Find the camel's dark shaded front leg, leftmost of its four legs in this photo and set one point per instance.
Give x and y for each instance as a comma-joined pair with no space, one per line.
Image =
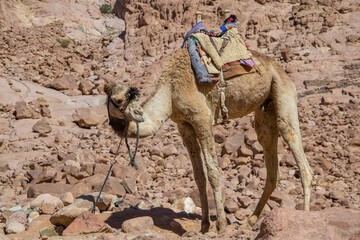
188,135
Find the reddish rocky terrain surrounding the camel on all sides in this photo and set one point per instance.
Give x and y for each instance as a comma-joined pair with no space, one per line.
56,145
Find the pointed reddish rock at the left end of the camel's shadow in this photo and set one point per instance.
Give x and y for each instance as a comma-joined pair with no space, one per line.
87,223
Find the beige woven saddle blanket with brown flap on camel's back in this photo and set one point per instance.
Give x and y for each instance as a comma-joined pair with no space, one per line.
224,53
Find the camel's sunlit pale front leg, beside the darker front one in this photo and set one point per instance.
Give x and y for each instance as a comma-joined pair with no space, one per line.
206,139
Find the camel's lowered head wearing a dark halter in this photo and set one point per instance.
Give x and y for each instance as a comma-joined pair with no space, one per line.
123,103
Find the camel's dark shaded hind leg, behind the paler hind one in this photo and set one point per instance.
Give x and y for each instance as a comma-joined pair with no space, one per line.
267,132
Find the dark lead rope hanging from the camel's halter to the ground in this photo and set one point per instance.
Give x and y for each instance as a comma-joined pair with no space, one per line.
132,160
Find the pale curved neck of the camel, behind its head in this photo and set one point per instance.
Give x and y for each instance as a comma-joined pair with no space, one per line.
157,110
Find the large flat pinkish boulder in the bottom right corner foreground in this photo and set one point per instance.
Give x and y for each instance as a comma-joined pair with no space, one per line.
332,223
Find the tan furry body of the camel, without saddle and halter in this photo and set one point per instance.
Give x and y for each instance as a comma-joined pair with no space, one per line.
272,95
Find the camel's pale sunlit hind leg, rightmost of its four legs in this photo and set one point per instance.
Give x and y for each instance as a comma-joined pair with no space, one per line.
288,124
